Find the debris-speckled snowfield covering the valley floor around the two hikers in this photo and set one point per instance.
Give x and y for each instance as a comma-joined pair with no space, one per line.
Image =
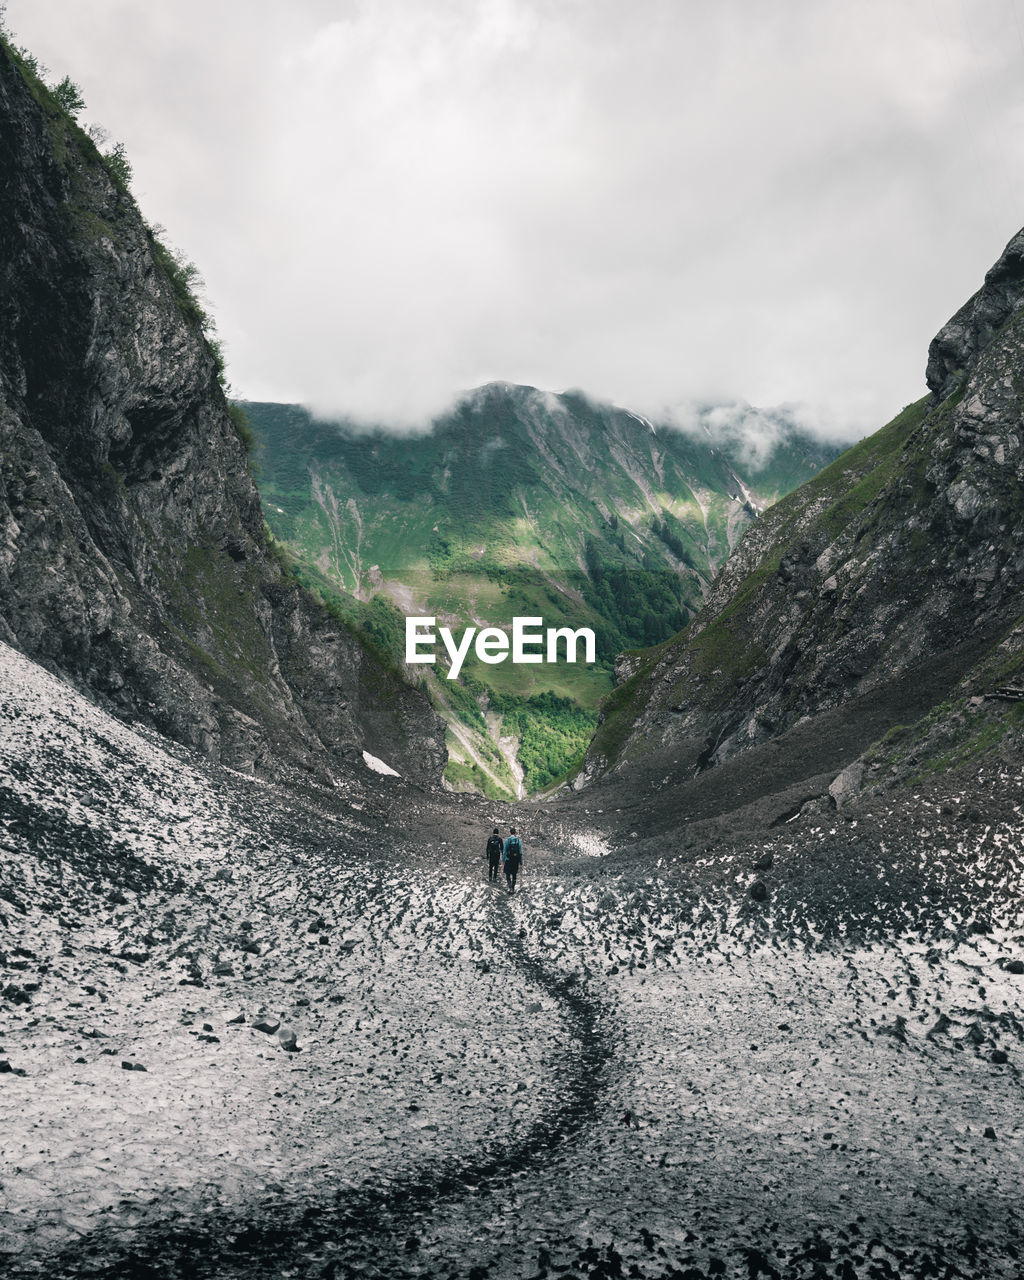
252,1031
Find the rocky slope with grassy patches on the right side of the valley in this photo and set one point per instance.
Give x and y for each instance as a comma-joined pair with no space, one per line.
888,587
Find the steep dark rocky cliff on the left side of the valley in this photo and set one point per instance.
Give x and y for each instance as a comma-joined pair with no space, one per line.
132,555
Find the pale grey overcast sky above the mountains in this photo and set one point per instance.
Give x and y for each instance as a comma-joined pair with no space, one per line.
650,200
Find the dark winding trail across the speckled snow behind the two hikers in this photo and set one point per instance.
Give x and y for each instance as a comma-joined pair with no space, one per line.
374,1231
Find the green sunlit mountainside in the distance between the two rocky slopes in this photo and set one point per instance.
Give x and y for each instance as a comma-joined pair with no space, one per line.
520,504
